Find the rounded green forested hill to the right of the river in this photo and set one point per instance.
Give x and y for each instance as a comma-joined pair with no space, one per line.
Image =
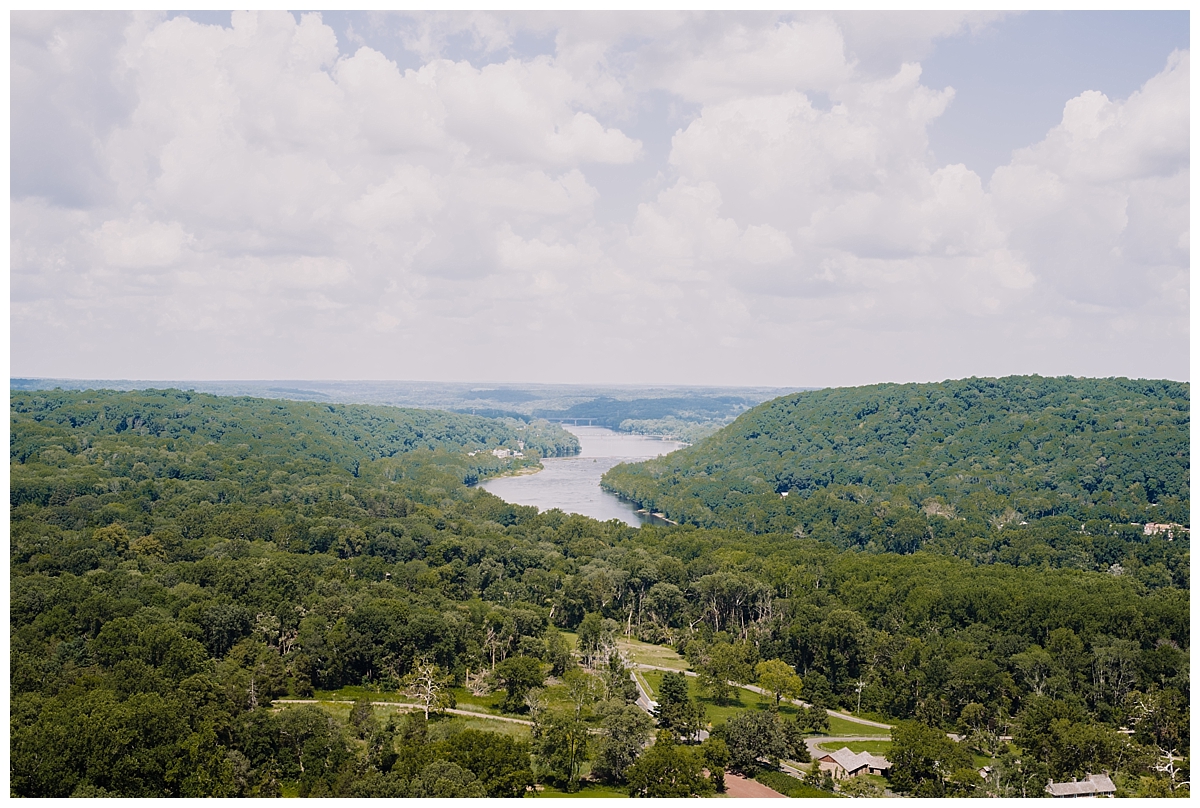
955,465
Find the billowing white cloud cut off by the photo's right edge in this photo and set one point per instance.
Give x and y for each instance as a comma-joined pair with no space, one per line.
1101,205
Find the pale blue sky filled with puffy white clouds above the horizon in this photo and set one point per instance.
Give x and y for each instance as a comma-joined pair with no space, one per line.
791,200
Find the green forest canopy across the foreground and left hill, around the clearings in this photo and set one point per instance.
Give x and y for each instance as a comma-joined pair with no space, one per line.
187,560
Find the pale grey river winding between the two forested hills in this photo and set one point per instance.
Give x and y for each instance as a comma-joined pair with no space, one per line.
573,484
